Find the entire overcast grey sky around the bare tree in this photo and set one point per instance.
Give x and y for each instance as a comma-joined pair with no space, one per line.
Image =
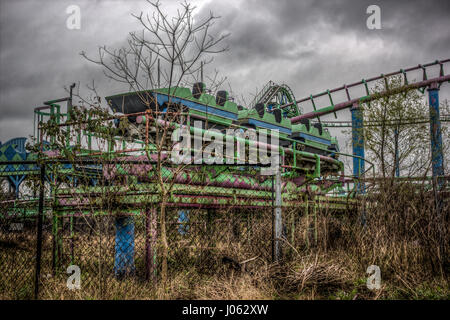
309,45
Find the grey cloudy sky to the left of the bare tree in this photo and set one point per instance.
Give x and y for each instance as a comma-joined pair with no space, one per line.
39,55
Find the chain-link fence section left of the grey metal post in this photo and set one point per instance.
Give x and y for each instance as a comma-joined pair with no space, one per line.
112,231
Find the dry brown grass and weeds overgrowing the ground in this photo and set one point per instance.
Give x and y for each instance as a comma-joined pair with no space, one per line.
403,236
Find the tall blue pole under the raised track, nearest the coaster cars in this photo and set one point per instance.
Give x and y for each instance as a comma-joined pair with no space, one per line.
358,143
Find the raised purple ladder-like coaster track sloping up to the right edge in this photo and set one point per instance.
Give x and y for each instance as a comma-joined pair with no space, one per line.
370,96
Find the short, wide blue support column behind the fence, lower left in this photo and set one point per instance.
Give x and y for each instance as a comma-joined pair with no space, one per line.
124,248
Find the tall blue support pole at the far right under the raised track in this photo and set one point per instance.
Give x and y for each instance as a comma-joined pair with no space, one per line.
437,157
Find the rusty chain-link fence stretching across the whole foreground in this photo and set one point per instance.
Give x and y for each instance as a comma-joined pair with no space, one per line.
116,229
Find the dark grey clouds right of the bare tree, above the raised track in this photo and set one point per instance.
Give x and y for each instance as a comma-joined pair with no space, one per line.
308,40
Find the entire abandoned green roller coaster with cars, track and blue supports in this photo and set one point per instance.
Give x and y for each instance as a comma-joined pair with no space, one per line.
310,159
